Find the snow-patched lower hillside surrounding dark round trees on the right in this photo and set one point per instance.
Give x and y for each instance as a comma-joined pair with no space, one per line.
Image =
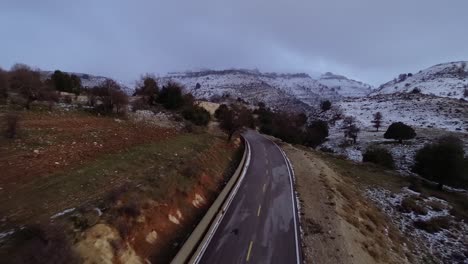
431,117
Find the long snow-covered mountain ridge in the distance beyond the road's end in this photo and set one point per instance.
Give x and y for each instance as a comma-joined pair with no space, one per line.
288,91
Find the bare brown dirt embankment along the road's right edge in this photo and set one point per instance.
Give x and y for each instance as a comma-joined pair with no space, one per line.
339,224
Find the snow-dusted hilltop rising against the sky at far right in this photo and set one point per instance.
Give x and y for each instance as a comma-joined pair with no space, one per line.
446,80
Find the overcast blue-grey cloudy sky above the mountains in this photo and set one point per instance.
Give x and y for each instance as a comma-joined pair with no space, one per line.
368,40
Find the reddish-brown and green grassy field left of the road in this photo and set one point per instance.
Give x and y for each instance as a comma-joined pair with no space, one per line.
98,169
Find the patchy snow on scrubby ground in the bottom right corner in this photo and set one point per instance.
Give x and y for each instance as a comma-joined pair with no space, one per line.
447,245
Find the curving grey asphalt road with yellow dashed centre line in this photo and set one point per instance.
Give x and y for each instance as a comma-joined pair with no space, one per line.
260,225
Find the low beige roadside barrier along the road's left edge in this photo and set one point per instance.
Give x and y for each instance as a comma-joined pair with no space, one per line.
196,243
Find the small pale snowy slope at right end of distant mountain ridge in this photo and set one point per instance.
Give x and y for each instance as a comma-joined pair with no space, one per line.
344,86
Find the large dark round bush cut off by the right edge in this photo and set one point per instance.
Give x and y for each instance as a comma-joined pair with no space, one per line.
443,162
